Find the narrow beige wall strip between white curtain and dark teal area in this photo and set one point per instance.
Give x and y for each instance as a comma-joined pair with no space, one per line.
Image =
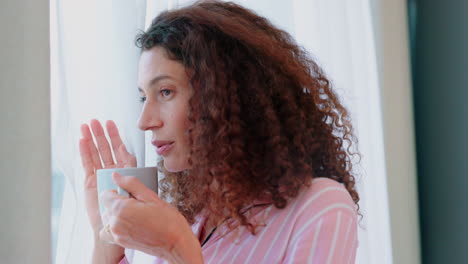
392,45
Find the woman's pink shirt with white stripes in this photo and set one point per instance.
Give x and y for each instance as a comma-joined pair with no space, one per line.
318,226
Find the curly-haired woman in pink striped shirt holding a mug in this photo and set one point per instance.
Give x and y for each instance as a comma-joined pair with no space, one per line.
255,149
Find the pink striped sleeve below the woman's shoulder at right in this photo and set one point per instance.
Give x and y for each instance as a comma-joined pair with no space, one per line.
331,239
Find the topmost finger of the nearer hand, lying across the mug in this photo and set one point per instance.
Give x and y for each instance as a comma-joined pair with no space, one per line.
135,187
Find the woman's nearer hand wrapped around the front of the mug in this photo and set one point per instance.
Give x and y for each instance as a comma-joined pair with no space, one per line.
147,223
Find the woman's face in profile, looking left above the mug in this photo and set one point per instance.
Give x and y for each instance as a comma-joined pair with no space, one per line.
165,88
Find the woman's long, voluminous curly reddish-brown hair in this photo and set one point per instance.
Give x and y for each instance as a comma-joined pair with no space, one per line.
264,118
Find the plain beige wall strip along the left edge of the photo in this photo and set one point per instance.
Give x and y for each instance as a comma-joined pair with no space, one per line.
25,132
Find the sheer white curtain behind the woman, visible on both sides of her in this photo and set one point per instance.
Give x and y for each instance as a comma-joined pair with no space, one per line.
95,76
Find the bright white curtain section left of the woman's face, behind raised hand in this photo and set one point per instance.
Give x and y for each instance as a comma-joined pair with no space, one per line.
94,71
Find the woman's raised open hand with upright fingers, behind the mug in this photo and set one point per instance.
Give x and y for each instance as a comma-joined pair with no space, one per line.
91,157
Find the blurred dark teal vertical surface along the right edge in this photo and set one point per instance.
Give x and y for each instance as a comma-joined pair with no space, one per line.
439,52
